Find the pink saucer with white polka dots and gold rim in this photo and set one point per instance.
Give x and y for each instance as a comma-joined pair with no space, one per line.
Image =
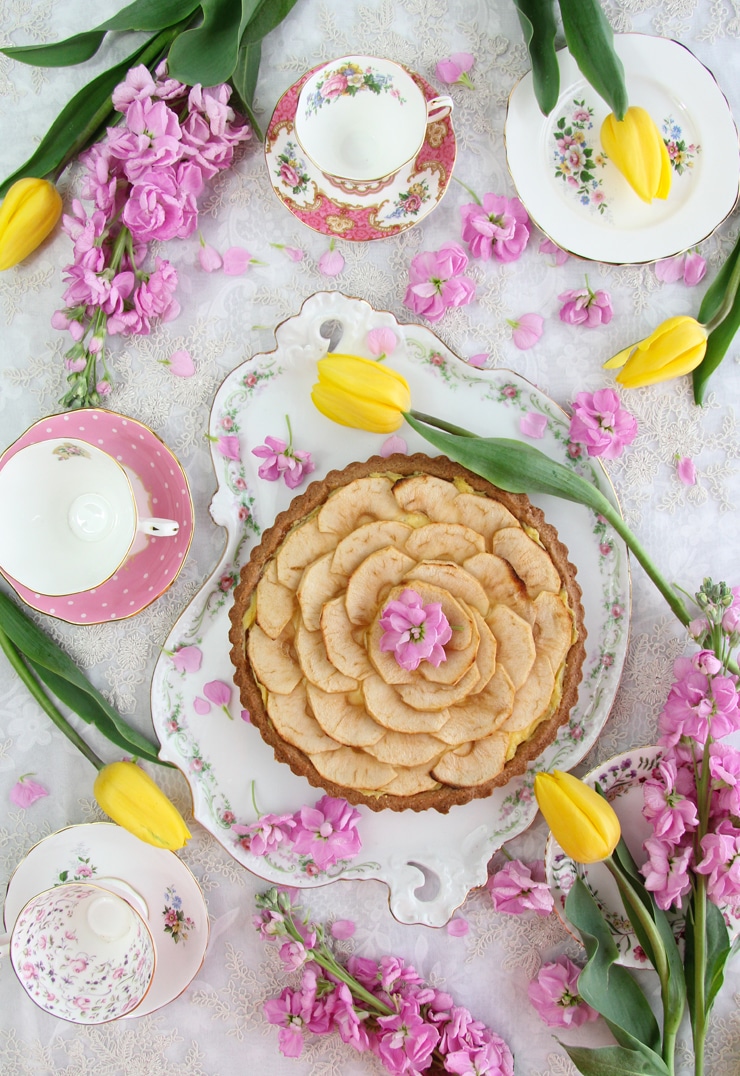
160,488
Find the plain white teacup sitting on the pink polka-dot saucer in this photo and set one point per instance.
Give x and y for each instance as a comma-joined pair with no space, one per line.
69,517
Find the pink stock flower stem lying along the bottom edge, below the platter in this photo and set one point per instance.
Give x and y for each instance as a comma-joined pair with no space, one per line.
409,1027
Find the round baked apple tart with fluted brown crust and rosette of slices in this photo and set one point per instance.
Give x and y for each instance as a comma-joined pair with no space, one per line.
307,634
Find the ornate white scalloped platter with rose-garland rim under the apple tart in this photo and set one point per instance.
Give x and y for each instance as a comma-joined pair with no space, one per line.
220,754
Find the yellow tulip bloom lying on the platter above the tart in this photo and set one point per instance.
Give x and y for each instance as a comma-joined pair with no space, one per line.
361,393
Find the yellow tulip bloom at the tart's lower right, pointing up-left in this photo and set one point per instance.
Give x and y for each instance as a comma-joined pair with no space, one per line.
584,824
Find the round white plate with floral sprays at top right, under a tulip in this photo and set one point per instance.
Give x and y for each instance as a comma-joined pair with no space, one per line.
577,196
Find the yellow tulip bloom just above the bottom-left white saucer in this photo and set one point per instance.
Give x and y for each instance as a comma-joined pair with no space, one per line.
132,799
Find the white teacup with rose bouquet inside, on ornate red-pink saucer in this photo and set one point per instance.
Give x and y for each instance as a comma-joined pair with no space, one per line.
361,120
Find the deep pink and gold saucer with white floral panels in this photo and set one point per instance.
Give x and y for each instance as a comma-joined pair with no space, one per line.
314,199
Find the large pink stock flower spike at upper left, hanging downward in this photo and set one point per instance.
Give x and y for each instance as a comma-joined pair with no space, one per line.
144,180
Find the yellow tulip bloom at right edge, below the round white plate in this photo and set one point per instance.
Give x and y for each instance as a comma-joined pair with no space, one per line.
676,348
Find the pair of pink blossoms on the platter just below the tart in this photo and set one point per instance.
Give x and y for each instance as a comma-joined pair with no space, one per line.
325,833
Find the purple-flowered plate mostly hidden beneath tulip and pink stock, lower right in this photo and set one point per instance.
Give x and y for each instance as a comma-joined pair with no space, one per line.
621,780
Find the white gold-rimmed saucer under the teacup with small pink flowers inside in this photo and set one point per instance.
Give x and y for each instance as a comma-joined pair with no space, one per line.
167,895
